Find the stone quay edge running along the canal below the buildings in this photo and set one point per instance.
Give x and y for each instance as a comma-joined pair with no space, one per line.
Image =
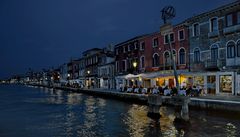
208,102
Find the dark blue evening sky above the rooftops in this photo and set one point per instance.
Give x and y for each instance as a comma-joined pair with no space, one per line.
43,33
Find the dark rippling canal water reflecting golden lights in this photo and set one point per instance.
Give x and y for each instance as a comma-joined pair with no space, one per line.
41,112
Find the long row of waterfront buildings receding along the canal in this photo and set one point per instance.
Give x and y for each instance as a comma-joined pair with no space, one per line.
206,50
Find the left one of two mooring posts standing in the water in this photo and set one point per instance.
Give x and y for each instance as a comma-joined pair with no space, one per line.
154,102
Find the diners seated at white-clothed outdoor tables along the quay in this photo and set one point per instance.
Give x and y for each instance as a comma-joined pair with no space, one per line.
166,90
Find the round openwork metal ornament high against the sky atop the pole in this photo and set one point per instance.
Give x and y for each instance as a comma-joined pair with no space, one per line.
168,13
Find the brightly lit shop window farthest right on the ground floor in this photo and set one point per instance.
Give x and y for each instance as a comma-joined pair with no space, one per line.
226,84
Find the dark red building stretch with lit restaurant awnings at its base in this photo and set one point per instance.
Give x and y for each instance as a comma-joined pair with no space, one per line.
152,56
